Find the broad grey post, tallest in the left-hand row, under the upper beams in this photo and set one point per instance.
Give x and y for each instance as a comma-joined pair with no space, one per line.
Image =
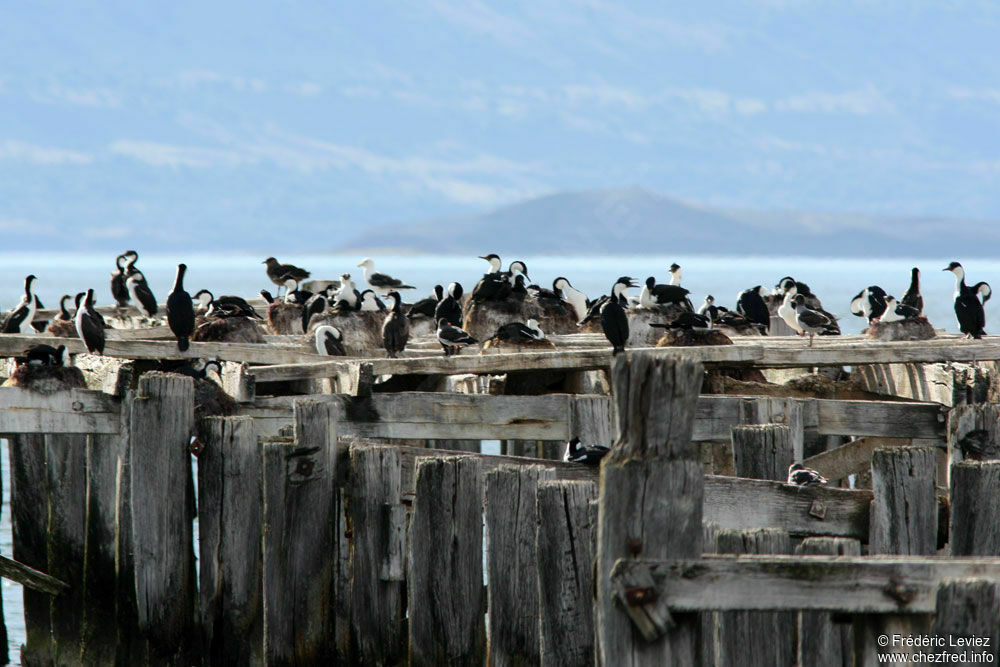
162,531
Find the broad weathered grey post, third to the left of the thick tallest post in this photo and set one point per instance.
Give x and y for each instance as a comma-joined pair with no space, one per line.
446,563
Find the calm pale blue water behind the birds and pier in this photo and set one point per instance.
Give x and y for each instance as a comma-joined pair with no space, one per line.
835,281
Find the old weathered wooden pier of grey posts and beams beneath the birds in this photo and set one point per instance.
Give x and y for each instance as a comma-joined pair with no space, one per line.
344,507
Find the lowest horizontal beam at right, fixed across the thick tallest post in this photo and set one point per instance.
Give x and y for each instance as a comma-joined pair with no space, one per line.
851,584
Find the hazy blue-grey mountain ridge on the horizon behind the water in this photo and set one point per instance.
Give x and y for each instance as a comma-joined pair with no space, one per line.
637,221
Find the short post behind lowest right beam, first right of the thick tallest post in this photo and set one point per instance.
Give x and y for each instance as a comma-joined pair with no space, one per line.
755,637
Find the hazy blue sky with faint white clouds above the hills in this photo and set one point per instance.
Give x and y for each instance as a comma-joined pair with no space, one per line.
309,121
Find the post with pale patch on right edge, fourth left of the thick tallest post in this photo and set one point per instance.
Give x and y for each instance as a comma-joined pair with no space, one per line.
378,623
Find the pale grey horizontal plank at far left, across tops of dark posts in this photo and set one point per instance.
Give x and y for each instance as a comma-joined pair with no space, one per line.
73,411
